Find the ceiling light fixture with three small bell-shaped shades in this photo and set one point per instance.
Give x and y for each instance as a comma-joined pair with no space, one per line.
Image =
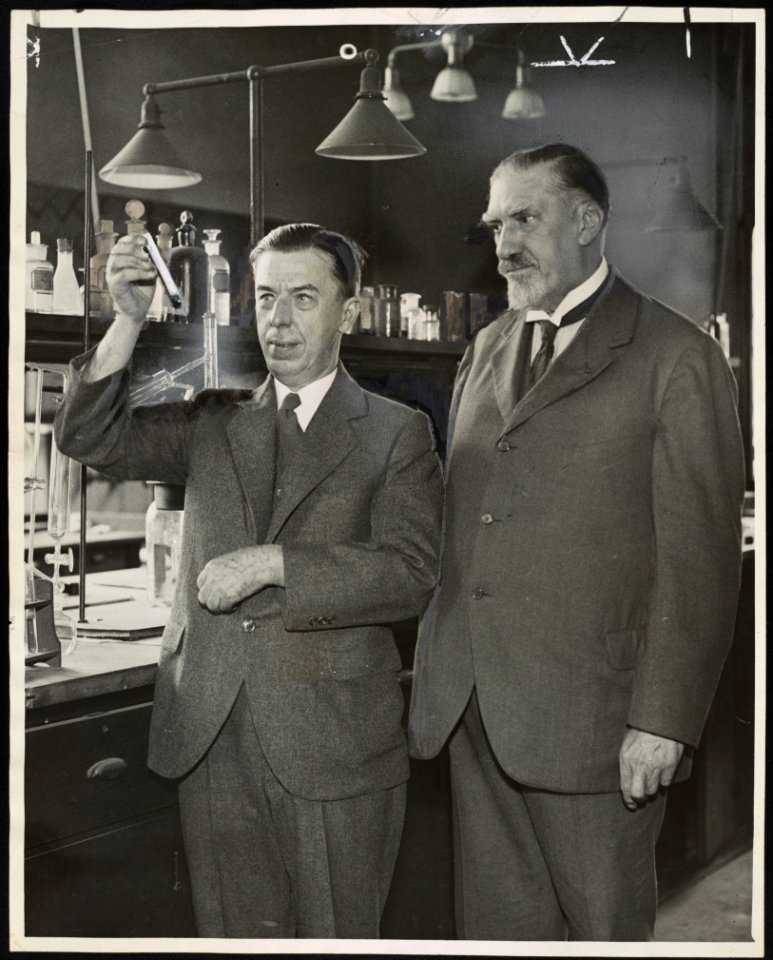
454,84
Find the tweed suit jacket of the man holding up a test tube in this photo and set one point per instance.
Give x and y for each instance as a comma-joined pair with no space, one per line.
359,524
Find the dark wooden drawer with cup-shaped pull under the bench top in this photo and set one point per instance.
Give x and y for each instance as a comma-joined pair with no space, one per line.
69,789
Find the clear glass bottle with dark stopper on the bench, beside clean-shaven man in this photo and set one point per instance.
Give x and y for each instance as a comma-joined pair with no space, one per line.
163,542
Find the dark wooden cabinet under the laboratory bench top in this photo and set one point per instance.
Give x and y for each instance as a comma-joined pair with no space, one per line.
103,846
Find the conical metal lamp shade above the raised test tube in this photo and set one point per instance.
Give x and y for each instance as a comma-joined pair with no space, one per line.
149,161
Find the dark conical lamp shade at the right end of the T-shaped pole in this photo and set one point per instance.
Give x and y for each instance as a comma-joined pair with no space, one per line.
369,131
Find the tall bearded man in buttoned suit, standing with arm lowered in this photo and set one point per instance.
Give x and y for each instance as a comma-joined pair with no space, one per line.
589,572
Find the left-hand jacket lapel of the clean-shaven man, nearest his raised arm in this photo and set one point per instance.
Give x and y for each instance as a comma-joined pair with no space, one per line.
251,436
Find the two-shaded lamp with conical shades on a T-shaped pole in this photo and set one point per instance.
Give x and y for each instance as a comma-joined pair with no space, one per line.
149,162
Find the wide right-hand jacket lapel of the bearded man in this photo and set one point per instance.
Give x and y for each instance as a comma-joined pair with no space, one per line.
610,324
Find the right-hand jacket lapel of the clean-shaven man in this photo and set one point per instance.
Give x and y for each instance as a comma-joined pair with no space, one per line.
328,439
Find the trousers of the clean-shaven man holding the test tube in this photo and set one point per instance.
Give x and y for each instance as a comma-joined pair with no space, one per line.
265,863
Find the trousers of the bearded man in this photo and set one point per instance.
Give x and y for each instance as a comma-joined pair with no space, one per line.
530,862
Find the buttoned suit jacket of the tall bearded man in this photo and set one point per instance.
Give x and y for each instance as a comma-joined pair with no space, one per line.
592,545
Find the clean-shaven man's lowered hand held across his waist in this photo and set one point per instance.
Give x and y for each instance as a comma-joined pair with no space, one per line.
227,580
